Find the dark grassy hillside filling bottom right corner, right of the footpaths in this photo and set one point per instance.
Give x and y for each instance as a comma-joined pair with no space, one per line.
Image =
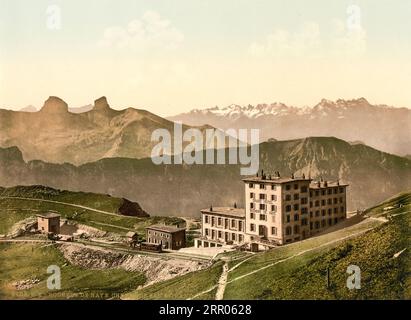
304,277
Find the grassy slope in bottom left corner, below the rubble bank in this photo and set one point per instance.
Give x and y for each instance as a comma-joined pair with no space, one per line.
76,283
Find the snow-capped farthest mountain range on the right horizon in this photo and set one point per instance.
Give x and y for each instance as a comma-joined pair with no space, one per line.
380,126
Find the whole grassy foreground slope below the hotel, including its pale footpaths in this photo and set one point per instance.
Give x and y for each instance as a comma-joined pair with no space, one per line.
379,245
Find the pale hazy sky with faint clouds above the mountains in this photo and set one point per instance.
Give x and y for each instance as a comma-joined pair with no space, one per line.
172,56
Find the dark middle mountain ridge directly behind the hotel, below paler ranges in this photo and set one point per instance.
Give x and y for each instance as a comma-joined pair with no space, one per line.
185,189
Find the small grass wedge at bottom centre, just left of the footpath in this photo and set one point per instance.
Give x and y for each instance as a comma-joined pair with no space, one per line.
182,287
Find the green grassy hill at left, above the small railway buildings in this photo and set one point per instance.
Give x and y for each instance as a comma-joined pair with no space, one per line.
14,210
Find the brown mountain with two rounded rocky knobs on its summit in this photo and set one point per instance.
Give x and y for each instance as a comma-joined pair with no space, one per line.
54,134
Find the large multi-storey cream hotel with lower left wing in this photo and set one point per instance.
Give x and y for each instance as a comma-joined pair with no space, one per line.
278,210
